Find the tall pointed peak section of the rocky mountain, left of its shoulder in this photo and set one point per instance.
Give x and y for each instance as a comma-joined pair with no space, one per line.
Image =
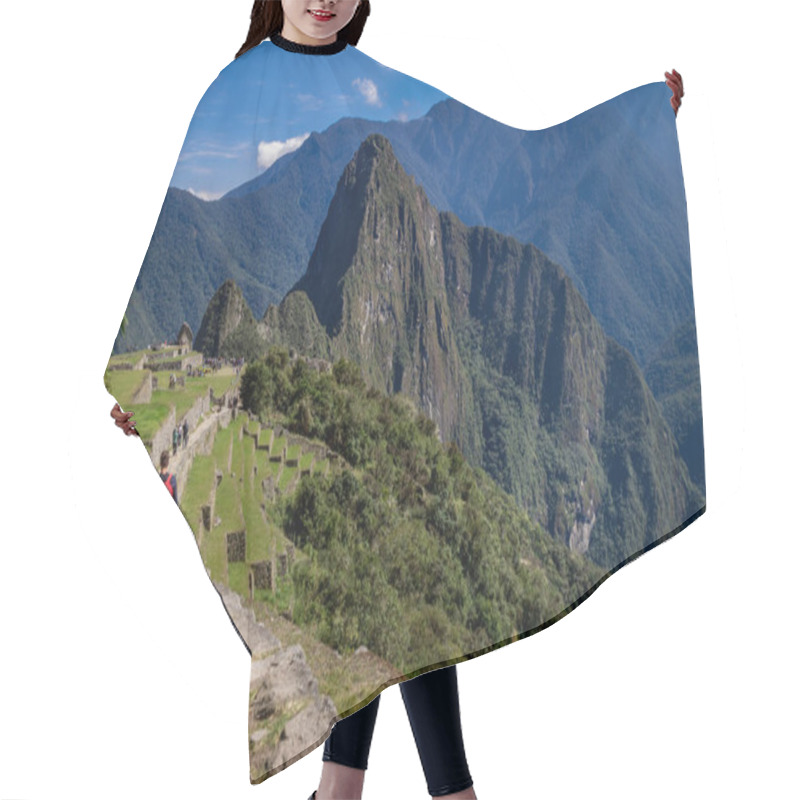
377,281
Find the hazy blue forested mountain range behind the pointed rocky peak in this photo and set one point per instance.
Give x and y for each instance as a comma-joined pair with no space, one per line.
608,208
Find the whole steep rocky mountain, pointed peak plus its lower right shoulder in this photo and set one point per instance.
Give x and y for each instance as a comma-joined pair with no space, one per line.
491,340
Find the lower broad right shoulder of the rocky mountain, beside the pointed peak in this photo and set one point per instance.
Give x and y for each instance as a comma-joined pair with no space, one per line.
569,424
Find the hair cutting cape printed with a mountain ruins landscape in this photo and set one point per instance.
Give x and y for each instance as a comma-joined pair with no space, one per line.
424,380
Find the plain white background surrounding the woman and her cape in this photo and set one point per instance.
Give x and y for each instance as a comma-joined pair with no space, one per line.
120,674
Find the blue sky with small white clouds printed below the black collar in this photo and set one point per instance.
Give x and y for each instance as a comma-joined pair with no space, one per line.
267,102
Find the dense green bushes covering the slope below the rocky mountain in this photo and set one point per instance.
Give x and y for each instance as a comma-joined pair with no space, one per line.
409,550
